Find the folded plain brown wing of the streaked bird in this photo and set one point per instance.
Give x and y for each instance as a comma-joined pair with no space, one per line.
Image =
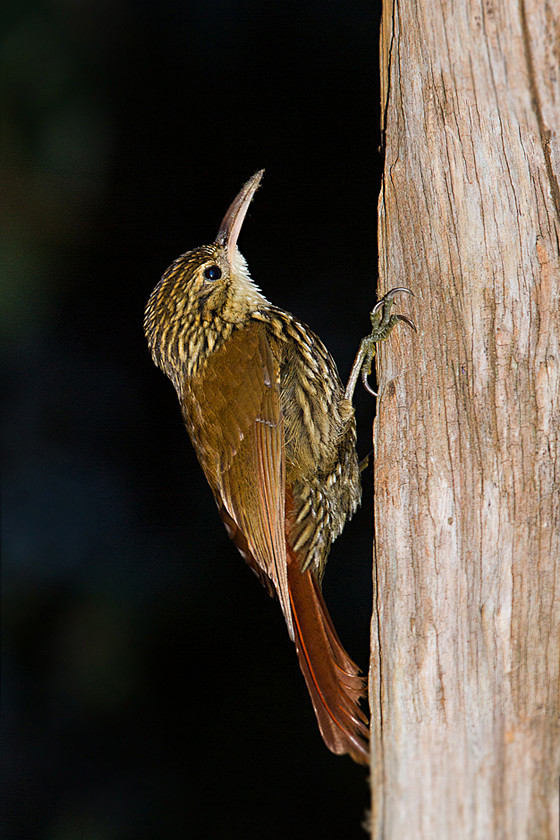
240,444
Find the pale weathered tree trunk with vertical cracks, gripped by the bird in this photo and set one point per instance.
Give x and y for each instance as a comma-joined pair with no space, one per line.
466,627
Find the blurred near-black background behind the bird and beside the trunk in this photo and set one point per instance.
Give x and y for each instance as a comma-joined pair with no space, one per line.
150,689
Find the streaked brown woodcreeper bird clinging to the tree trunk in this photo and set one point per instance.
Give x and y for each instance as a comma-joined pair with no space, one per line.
275,434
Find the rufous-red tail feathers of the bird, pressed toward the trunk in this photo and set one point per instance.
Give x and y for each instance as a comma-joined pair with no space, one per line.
333,680
